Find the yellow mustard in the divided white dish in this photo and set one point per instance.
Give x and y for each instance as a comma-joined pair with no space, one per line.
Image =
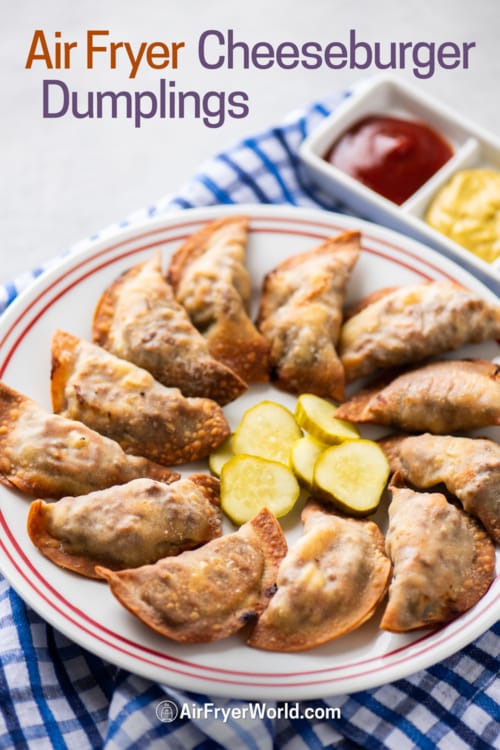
467,210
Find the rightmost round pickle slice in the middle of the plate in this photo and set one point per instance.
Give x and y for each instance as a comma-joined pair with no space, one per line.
352,476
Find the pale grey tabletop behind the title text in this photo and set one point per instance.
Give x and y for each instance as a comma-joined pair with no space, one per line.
65,178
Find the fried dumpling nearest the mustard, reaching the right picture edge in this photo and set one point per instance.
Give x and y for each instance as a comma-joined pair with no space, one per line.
411,323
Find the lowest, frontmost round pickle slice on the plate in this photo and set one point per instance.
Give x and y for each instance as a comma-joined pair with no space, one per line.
249,483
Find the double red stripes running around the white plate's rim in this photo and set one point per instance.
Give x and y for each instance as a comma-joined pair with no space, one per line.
148,656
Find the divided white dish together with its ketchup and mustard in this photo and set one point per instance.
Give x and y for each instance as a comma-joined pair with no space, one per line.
389,150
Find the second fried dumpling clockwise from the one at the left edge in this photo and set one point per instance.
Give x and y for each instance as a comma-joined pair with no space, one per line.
138,318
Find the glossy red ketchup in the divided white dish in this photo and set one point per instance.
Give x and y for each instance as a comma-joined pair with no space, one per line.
394,157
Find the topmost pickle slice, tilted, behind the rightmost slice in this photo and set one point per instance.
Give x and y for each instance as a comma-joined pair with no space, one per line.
316,415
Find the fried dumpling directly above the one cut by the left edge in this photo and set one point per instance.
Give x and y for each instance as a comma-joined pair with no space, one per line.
124,402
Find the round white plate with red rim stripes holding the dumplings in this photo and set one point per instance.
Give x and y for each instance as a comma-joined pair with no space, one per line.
85,610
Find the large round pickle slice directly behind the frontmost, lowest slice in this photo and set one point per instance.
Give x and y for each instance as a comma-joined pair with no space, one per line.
268,430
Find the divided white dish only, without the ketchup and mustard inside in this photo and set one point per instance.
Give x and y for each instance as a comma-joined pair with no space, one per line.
387,95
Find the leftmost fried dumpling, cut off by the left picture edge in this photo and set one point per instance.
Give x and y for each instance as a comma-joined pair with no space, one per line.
46,455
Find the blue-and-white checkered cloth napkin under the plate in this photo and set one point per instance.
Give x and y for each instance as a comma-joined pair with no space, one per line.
54,694
